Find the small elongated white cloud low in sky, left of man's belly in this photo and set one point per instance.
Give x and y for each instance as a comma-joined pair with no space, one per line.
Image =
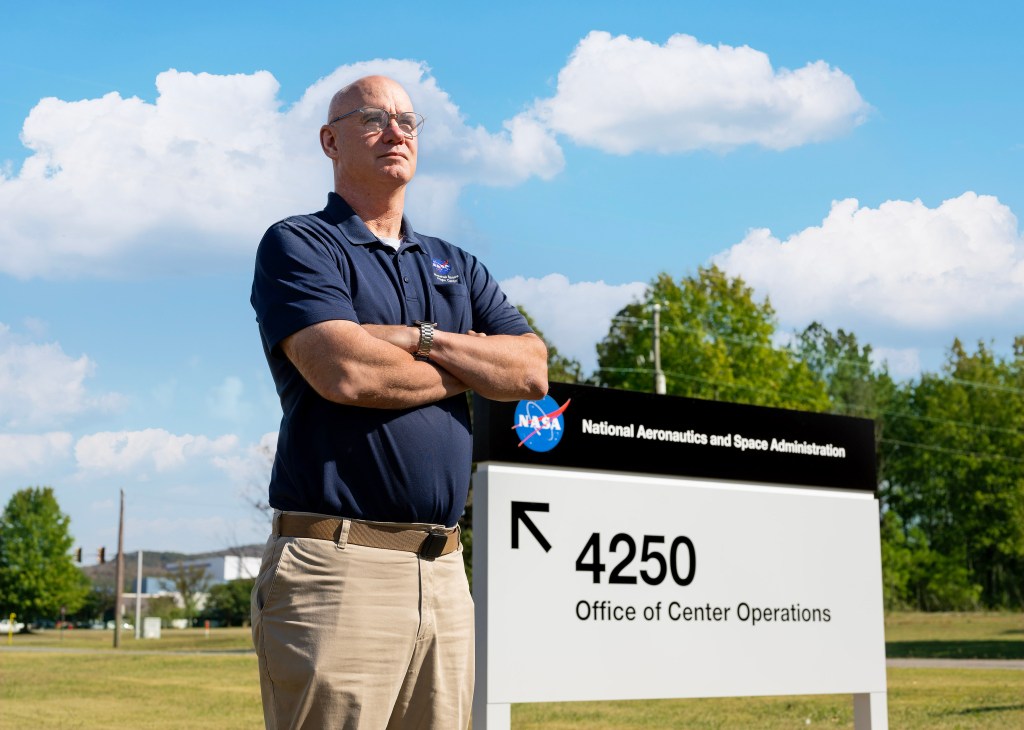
146,451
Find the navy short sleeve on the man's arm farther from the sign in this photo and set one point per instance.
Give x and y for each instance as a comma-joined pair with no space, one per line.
301,280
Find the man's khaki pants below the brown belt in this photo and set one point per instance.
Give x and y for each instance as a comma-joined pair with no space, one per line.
356,637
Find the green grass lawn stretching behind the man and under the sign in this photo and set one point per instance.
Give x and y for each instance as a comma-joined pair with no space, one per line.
189,680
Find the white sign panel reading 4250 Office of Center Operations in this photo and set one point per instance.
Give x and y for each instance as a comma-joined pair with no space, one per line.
607,586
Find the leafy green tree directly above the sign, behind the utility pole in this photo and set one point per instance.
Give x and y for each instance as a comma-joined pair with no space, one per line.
716,343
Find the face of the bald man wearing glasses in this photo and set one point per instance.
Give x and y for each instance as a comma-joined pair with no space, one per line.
366,158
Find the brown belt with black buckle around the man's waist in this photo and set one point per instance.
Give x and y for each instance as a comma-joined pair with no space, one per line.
428,543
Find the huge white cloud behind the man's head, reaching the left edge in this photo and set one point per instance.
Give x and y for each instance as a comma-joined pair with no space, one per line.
117,186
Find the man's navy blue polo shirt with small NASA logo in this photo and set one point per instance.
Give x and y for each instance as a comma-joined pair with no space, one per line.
403,466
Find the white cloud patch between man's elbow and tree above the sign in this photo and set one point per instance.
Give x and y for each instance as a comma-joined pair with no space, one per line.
573,317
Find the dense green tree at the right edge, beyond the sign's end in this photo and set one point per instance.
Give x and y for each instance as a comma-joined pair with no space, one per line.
956,474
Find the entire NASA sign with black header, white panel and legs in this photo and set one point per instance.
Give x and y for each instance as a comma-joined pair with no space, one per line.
652,547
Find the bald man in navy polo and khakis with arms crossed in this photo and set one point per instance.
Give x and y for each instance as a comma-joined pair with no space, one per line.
362,614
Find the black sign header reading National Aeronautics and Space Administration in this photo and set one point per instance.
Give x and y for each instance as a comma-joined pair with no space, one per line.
618,431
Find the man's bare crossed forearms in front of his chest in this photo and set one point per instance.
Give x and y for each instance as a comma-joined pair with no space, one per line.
372,366
